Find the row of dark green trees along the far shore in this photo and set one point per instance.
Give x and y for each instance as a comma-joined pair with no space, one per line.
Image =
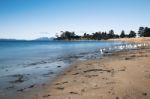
67,35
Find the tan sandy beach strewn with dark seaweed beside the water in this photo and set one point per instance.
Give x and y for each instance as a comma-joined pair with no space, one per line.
122,75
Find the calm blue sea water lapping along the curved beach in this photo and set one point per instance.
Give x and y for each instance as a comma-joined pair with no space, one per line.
38,61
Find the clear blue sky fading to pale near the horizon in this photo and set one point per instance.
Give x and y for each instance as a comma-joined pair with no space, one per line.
30,19
